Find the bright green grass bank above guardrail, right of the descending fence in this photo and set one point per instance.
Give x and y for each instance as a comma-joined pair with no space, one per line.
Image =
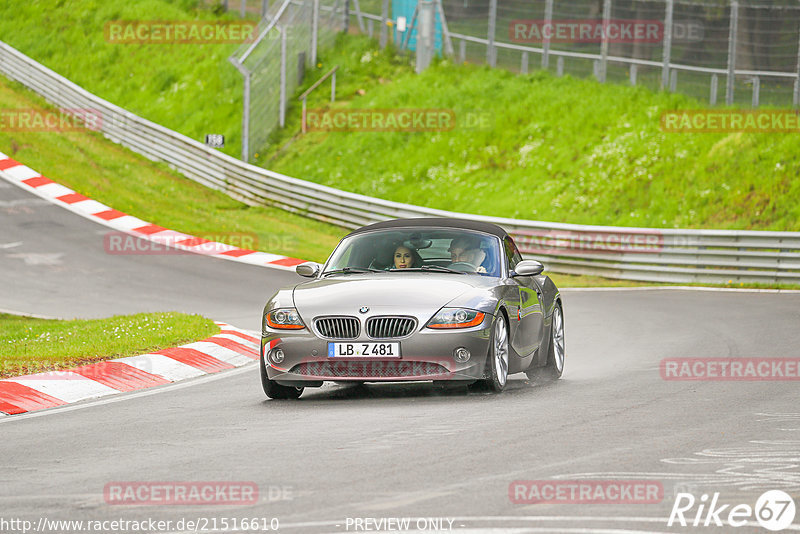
556,149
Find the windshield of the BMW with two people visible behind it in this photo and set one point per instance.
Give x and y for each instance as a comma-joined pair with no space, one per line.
418,249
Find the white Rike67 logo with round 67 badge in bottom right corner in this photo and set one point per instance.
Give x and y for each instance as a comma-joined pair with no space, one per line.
774,510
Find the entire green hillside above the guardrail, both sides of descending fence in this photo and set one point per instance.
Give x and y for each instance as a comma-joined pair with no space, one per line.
556,149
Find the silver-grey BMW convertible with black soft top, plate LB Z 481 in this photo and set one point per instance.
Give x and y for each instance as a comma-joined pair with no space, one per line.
443,300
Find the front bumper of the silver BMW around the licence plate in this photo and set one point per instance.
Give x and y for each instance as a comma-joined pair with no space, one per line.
425,355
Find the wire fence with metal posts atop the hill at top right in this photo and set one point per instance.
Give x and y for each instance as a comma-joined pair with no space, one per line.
745,54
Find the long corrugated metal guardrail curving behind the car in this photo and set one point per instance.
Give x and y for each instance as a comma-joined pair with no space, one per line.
649,254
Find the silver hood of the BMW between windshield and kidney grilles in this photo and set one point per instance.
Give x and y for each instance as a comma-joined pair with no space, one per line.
416,294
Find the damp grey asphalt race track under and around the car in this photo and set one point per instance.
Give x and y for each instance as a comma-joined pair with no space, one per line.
347,453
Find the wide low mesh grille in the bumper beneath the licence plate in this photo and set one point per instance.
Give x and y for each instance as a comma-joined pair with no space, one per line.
369,369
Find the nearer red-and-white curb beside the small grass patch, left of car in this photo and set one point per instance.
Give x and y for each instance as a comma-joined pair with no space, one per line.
231,348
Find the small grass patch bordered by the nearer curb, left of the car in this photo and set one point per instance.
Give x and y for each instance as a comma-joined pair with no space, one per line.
29,345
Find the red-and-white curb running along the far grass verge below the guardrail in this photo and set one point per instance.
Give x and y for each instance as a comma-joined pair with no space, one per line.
32,181
